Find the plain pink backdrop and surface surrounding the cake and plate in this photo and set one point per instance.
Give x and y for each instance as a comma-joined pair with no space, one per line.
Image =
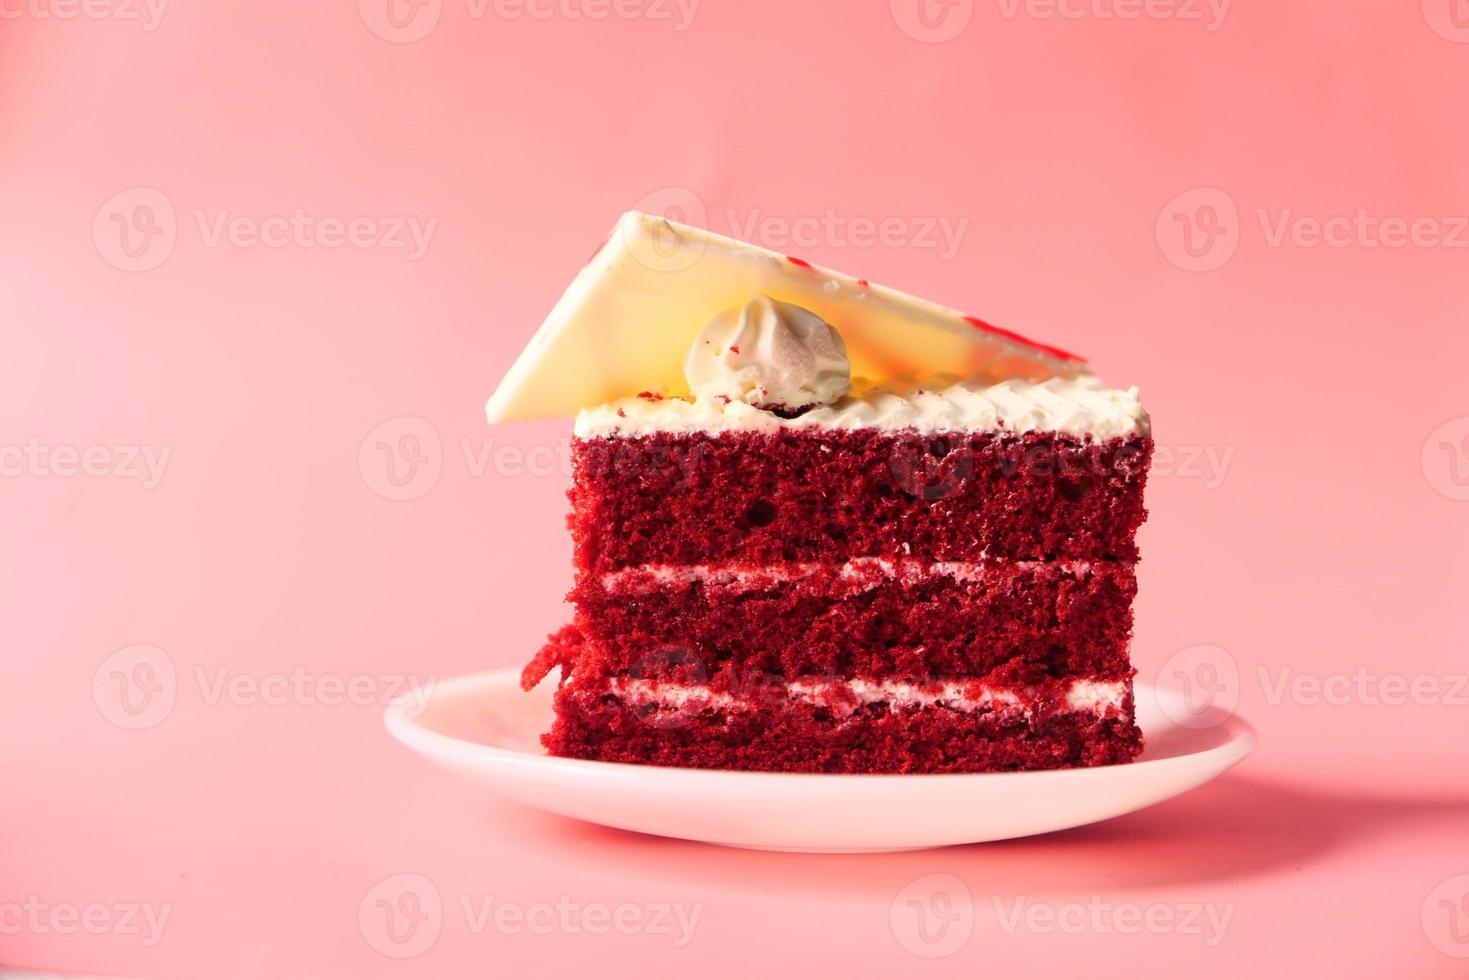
1330,549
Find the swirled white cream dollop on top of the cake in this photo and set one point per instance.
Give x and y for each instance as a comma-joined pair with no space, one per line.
770,355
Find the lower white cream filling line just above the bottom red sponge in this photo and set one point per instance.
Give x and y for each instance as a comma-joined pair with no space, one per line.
1094,697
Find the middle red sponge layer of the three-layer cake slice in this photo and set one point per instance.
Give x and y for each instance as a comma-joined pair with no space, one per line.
1014,622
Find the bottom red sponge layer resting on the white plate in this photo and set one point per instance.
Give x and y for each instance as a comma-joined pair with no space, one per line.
784,735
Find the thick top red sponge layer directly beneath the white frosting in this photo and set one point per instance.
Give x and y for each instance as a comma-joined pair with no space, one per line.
800,496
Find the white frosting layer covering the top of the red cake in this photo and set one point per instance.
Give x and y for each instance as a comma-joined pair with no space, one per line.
1076,406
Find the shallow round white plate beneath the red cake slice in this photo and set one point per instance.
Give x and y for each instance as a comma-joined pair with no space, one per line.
487,729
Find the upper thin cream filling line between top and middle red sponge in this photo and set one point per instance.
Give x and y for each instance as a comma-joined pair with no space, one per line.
853,572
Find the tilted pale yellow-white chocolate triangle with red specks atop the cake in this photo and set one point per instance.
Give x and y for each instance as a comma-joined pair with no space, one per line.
628,320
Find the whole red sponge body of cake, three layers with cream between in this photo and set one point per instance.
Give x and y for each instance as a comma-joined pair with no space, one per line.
813,600
